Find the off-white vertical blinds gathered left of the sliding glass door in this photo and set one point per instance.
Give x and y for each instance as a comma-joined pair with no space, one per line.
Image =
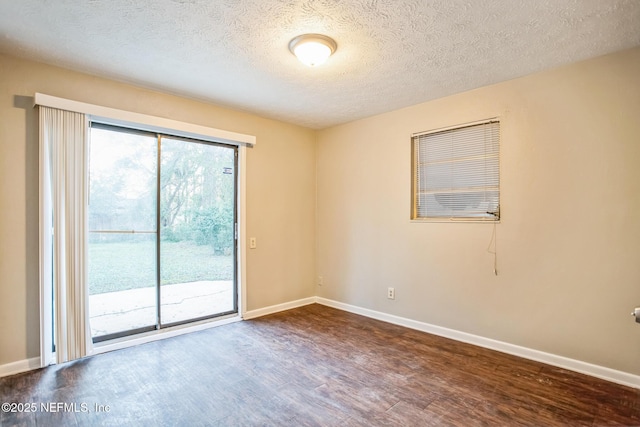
63,234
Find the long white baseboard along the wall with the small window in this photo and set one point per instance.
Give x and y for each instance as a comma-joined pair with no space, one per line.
608,374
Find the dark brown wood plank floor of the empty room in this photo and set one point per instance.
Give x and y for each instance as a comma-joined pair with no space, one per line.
314,366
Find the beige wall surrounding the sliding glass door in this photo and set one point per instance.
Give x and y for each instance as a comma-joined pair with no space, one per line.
280,191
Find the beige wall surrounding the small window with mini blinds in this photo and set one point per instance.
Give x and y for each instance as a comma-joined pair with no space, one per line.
569,240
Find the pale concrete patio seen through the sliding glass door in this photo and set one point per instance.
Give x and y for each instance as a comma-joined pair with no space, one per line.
120,311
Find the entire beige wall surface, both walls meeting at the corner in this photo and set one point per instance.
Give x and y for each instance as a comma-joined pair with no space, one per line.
568,243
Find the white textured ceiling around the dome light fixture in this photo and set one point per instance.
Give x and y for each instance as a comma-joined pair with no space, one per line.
391,54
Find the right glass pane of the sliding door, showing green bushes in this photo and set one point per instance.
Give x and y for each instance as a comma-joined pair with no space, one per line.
197,217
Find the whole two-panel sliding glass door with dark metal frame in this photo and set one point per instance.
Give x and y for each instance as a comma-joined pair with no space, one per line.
162,220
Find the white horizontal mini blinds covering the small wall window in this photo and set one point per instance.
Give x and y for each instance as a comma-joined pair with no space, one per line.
456,173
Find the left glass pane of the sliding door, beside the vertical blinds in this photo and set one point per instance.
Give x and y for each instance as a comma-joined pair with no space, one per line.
122,232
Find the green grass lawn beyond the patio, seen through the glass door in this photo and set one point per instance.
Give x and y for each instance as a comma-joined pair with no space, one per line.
129,265
